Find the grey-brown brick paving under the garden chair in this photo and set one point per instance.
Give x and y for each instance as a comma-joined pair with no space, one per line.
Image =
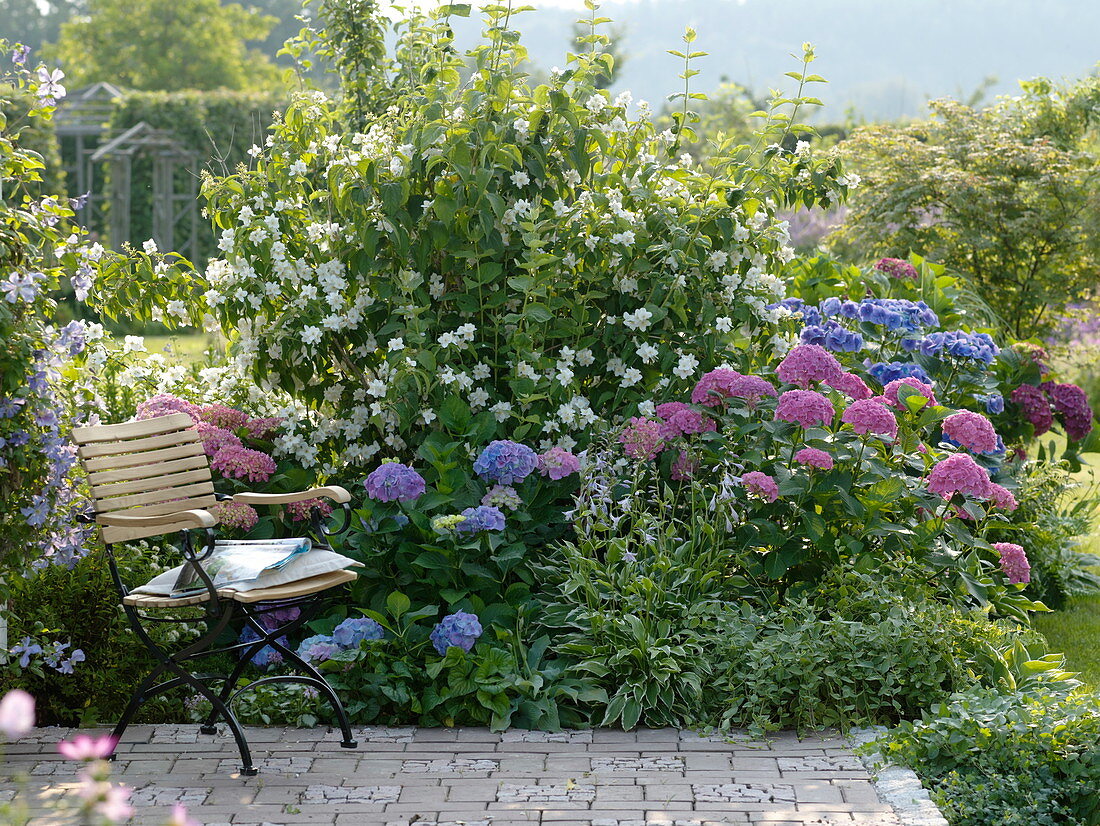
472,777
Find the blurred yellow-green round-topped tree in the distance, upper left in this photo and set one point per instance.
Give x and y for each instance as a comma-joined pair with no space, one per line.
167,46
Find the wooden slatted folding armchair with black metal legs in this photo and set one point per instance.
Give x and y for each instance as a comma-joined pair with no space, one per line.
153,478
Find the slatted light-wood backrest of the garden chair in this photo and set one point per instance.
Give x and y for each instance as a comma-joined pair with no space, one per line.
149,468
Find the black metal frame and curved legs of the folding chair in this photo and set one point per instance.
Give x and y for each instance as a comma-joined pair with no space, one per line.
218,615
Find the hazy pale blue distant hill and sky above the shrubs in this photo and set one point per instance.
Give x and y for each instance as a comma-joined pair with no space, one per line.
883,58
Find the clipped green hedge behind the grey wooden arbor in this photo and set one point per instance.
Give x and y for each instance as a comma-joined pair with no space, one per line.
221,127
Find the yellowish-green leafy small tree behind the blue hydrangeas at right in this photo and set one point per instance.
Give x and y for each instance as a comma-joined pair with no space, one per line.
1007,195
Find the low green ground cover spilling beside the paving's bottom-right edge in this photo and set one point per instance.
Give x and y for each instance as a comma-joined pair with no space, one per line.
1008,759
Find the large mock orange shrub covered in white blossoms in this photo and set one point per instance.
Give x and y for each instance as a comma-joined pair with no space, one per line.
496,259
